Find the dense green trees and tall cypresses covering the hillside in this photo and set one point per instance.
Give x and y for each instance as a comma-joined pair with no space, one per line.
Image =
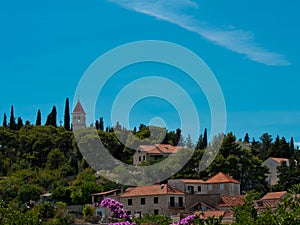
37,159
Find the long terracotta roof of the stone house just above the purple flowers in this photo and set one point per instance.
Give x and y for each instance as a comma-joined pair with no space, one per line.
151,190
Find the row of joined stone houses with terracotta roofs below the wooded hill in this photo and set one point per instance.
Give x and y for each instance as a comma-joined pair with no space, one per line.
178,196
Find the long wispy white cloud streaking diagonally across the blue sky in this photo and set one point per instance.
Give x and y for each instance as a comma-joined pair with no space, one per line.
239,41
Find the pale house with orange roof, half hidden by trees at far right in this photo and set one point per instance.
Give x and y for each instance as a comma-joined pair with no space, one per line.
272,163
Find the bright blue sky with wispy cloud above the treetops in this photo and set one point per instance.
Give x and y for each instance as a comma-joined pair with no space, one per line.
251,46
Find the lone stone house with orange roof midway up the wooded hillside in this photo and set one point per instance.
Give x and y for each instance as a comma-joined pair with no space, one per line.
157,151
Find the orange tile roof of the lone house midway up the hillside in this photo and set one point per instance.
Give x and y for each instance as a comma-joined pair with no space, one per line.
160,149
